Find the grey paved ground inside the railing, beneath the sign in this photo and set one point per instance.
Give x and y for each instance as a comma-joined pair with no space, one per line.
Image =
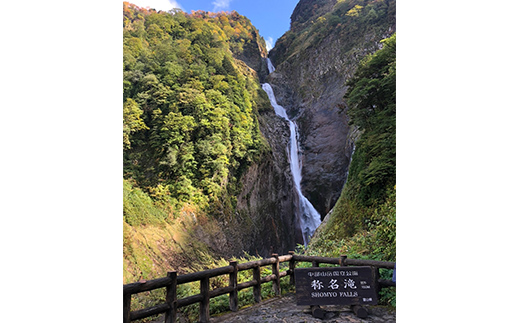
285,310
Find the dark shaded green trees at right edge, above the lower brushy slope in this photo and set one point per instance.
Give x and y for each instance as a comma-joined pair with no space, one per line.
371,104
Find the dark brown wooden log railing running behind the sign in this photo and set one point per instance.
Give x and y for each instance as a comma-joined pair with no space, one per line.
171,281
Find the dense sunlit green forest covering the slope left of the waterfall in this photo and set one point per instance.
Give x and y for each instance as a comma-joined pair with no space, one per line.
189,115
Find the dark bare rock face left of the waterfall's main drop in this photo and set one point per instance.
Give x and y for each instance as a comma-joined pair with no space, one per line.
267,200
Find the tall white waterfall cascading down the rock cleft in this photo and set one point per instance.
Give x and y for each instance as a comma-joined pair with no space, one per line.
310,219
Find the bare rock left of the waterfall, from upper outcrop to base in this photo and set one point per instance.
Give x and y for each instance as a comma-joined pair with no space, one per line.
265,220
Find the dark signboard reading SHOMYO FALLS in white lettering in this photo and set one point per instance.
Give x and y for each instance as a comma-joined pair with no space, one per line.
335,286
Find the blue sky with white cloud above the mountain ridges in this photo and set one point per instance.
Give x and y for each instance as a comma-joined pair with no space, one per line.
270,17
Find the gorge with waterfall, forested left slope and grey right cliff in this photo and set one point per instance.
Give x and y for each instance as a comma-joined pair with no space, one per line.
214,164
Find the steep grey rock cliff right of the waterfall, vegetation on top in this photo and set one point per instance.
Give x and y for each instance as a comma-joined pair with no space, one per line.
313,60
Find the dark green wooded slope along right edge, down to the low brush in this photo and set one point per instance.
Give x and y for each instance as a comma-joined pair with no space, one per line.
370,98
